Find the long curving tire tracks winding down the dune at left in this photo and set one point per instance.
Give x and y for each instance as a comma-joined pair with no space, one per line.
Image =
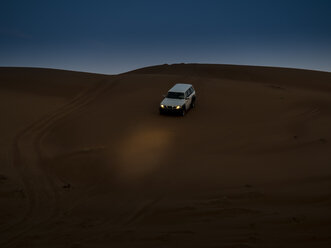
38,186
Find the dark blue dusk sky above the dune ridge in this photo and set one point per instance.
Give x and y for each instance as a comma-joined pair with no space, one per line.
116,36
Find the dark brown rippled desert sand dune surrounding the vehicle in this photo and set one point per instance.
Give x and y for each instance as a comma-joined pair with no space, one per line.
87,161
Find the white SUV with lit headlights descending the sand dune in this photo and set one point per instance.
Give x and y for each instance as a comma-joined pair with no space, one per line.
180,98
